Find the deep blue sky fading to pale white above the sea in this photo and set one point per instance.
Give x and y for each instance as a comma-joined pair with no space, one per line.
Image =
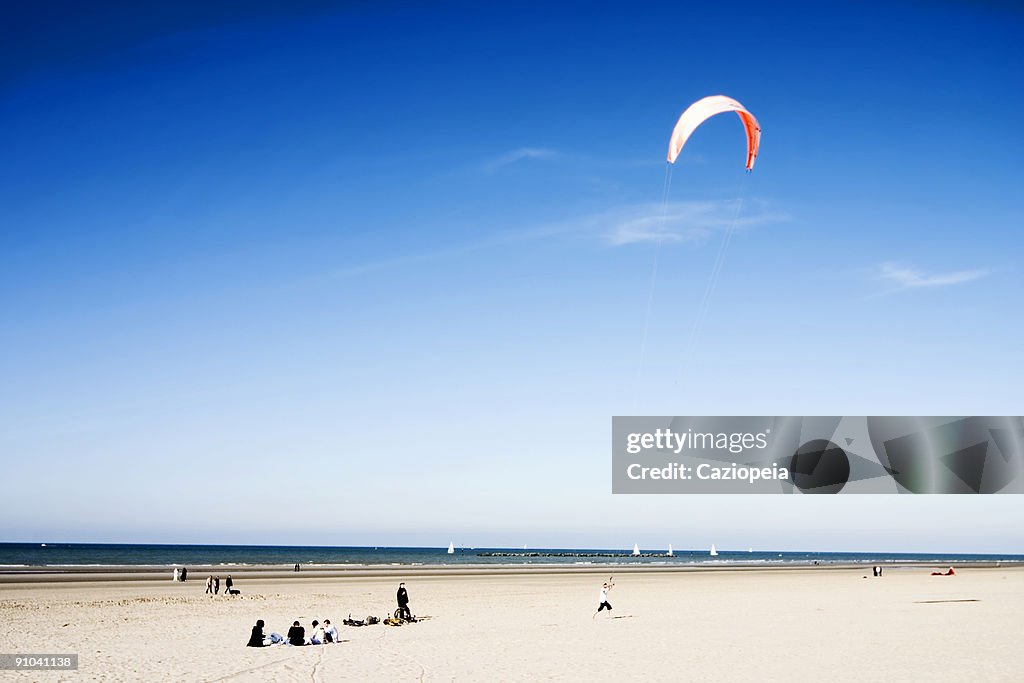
385,269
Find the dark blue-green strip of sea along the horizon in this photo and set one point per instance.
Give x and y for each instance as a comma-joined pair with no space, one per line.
75,557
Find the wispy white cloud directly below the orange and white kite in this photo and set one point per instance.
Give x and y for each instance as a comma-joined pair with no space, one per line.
685,222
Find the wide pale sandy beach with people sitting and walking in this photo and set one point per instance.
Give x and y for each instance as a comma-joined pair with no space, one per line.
809,624
